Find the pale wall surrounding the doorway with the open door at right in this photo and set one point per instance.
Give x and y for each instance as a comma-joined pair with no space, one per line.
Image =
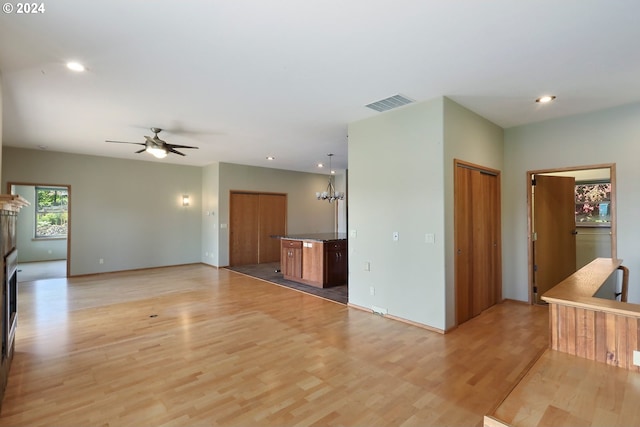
608,136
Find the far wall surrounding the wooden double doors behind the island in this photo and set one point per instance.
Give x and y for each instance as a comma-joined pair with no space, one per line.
305,213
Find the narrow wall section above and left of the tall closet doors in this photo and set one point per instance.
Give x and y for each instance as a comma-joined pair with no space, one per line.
474,139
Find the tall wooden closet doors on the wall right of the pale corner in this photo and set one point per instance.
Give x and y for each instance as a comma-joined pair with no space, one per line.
478,272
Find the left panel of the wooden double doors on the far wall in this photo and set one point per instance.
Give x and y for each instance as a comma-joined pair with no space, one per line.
244,228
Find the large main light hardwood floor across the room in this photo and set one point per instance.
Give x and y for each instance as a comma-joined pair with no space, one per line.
193,345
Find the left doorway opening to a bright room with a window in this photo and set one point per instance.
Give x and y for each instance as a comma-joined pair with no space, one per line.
43,230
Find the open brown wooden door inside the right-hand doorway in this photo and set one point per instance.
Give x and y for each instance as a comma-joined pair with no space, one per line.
554,228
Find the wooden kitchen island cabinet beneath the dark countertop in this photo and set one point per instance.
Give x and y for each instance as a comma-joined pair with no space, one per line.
314,262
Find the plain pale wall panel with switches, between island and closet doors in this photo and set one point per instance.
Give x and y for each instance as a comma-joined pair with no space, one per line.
396,175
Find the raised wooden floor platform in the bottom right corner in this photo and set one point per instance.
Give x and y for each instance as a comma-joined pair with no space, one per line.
566,390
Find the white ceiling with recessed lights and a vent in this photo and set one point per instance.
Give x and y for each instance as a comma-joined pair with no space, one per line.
245,79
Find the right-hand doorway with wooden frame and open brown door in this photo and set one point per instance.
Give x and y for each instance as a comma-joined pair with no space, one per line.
571,221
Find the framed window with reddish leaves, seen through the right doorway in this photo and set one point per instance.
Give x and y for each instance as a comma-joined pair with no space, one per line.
593,203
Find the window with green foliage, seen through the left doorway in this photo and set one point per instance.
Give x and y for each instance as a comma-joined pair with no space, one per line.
52,204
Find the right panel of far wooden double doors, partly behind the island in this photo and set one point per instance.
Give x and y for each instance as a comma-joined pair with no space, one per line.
273,222
